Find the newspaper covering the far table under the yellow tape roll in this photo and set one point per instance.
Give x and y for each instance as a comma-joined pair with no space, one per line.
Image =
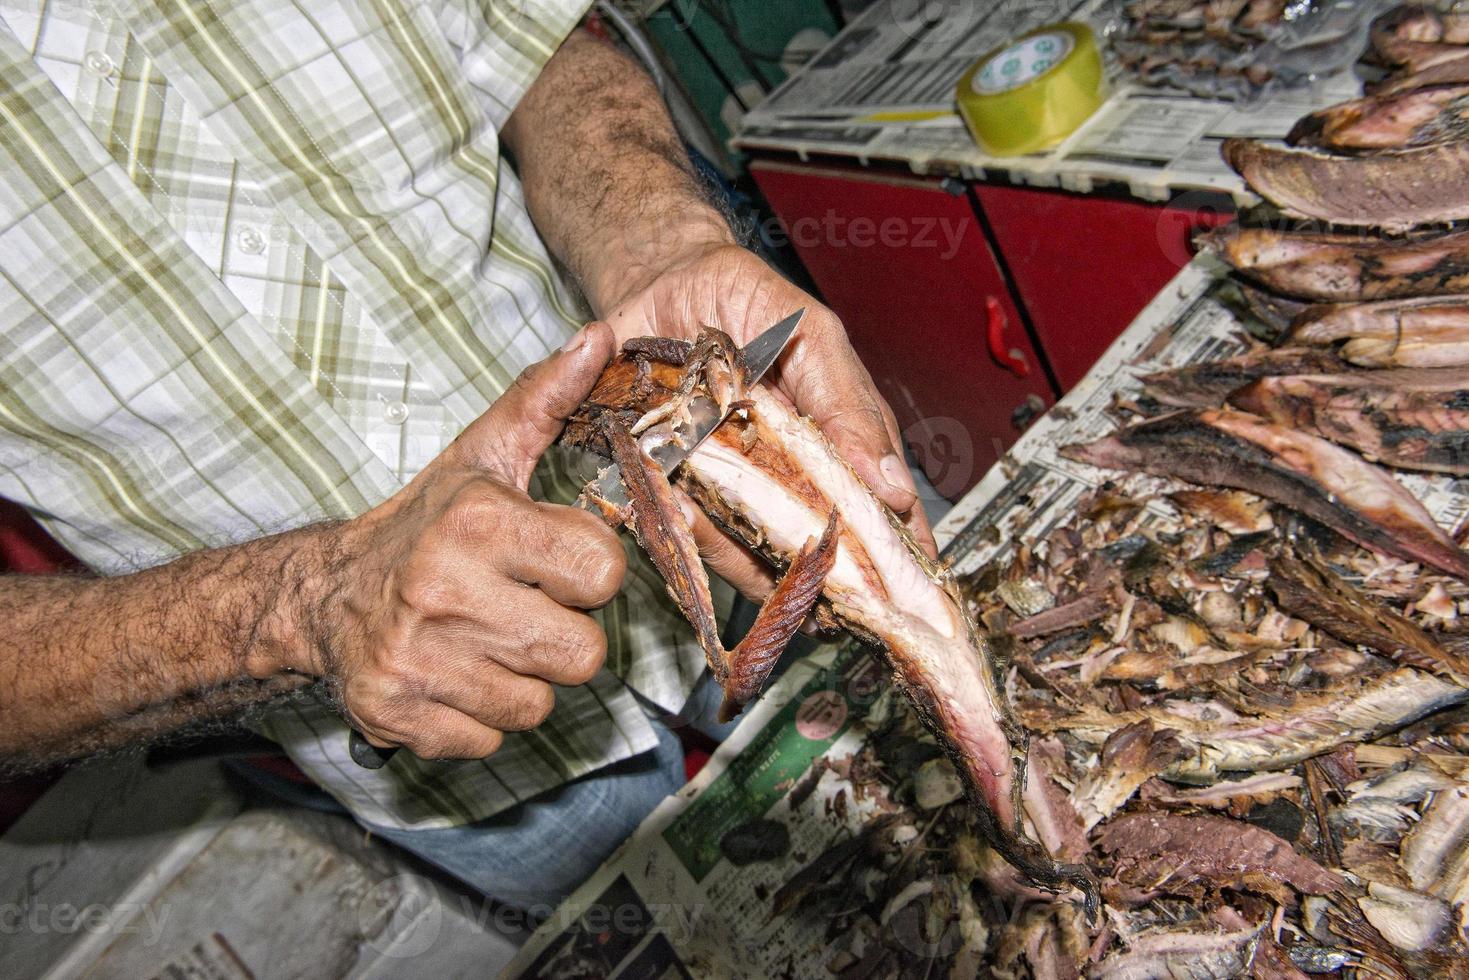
892,64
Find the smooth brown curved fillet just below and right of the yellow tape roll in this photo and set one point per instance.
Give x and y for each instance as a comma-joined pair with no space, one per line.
1393,190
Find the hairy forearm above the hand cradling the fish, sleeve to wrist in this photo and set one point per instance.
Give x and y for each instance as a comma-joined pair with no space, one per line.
606,176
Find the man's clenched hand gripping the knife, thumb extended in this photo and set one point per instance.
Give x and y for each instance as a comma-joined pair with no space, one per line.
459,603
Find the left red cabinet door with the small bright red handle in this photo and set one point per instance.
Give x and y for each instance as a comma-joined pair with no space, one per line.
907,268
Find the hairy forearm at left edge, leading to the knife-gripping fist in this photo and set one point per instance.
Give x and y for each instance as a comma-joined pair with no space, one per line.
95,663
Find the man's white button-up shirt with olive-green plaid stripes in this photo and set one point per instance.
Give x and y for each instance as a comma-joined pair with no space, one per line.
261,264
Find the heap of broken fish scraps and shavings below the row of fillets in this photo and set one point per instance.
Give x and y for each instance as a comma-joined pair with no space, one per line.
1252,731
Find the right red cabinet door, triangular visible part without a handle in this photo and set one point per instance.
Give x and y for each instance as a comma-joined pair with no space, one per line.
1086,267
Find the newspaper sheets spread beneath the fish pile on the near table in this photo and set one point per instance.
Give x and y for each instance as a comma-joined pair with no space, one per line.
669,903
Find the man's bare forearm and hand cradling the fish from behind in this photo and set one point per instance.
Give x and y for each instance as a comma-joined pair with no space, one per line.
612,192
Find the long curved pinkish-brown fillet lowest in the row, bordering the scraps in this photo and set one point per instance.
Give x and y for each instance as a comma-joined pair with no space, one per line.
1304,472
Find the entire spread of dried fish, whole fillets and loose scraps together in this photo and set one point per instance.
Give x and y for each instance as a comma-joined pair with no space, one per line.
1246,693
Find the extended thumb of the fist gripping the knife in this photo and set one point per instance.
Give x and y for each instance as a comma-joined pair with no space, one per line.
528,418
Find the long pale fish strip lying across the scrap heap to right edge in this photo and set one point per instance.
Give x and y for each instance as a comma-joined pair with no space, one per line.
1220,741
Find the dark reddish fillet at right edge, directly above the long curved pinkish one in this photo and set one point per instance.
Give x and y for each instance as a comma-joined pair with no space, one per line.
1411,419
